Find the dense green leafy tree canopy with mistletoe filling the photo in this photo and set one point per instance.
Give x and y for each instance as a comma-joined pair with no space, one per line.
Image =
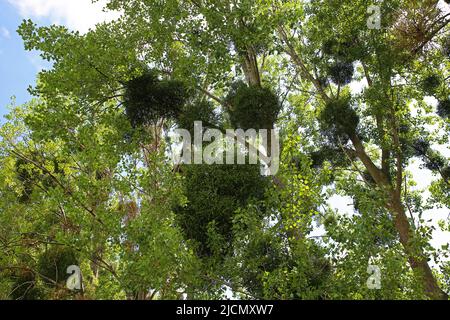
86,177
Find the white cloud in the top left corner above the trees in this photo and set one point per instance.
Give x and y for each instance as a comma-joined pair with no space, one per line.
75,14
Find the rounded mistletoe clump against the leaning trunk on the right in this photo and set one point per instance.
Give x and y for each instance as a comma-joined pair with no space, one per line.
338,121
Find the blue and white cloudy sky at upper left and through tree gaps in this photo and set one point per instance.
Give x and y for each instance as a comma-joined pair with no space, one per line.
18,69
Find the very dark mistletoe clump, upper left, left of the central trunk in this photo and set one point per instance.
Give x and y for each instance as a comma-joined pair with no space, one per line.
148,99
